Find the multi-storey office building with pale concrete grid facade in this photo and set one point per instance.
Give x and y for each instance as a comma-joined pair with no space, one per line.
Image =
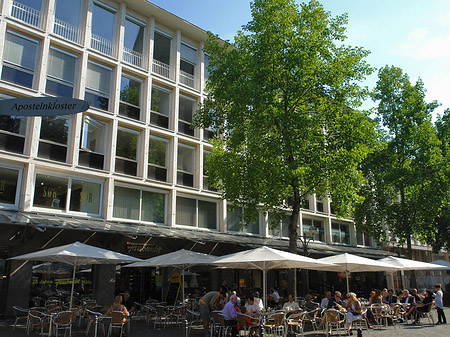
128,173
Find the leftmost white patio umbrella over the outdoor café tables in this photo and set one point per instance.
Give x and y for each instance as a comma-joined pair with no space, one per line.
77,254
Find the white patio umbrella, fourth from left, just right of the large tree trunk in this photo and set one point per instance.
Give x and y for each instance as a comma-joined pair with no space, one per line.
349,263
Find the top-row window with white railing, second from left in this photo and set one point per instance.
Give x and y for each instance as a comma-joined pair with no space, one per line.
67,19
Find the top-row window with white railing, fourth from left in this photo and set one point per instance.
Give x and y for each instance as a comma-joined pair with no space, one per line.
133,42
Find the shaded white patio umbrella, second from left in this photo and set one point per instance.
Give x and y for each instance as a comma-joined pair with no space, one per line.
180,259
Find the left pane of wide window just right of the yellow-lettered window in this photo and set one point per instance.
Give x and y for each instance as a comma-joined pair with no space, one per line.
126,203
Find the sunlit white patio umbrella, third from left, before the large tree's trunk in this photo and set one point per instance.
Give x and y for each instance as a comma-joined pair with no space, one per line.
265,259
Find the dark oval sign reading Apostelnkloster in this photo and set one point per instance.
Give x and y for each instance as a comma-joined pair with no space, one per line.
42,106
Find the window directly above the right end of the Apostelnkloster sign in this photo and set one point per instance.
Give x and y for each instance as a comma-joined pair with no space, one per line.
60,73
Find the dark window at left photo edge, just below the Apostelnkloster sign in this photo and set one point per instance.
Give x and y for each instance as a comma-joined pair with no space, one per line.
12,133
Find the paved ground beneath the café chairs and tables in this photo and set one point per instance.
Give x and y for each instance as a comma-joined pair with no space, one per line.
141,329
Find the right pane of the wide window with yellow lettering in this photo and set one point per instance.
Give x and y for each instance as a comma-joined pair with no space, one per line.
85,197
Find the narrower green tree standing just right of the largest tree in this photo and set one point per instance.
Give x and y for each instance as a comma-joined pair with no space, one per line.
404,192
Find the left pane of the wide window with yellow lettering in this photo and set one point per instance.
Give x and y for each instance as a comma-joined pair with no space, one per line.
50,192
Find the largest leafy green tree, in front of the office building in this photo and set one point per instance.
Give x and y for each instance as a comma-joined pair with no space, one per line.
282,97
